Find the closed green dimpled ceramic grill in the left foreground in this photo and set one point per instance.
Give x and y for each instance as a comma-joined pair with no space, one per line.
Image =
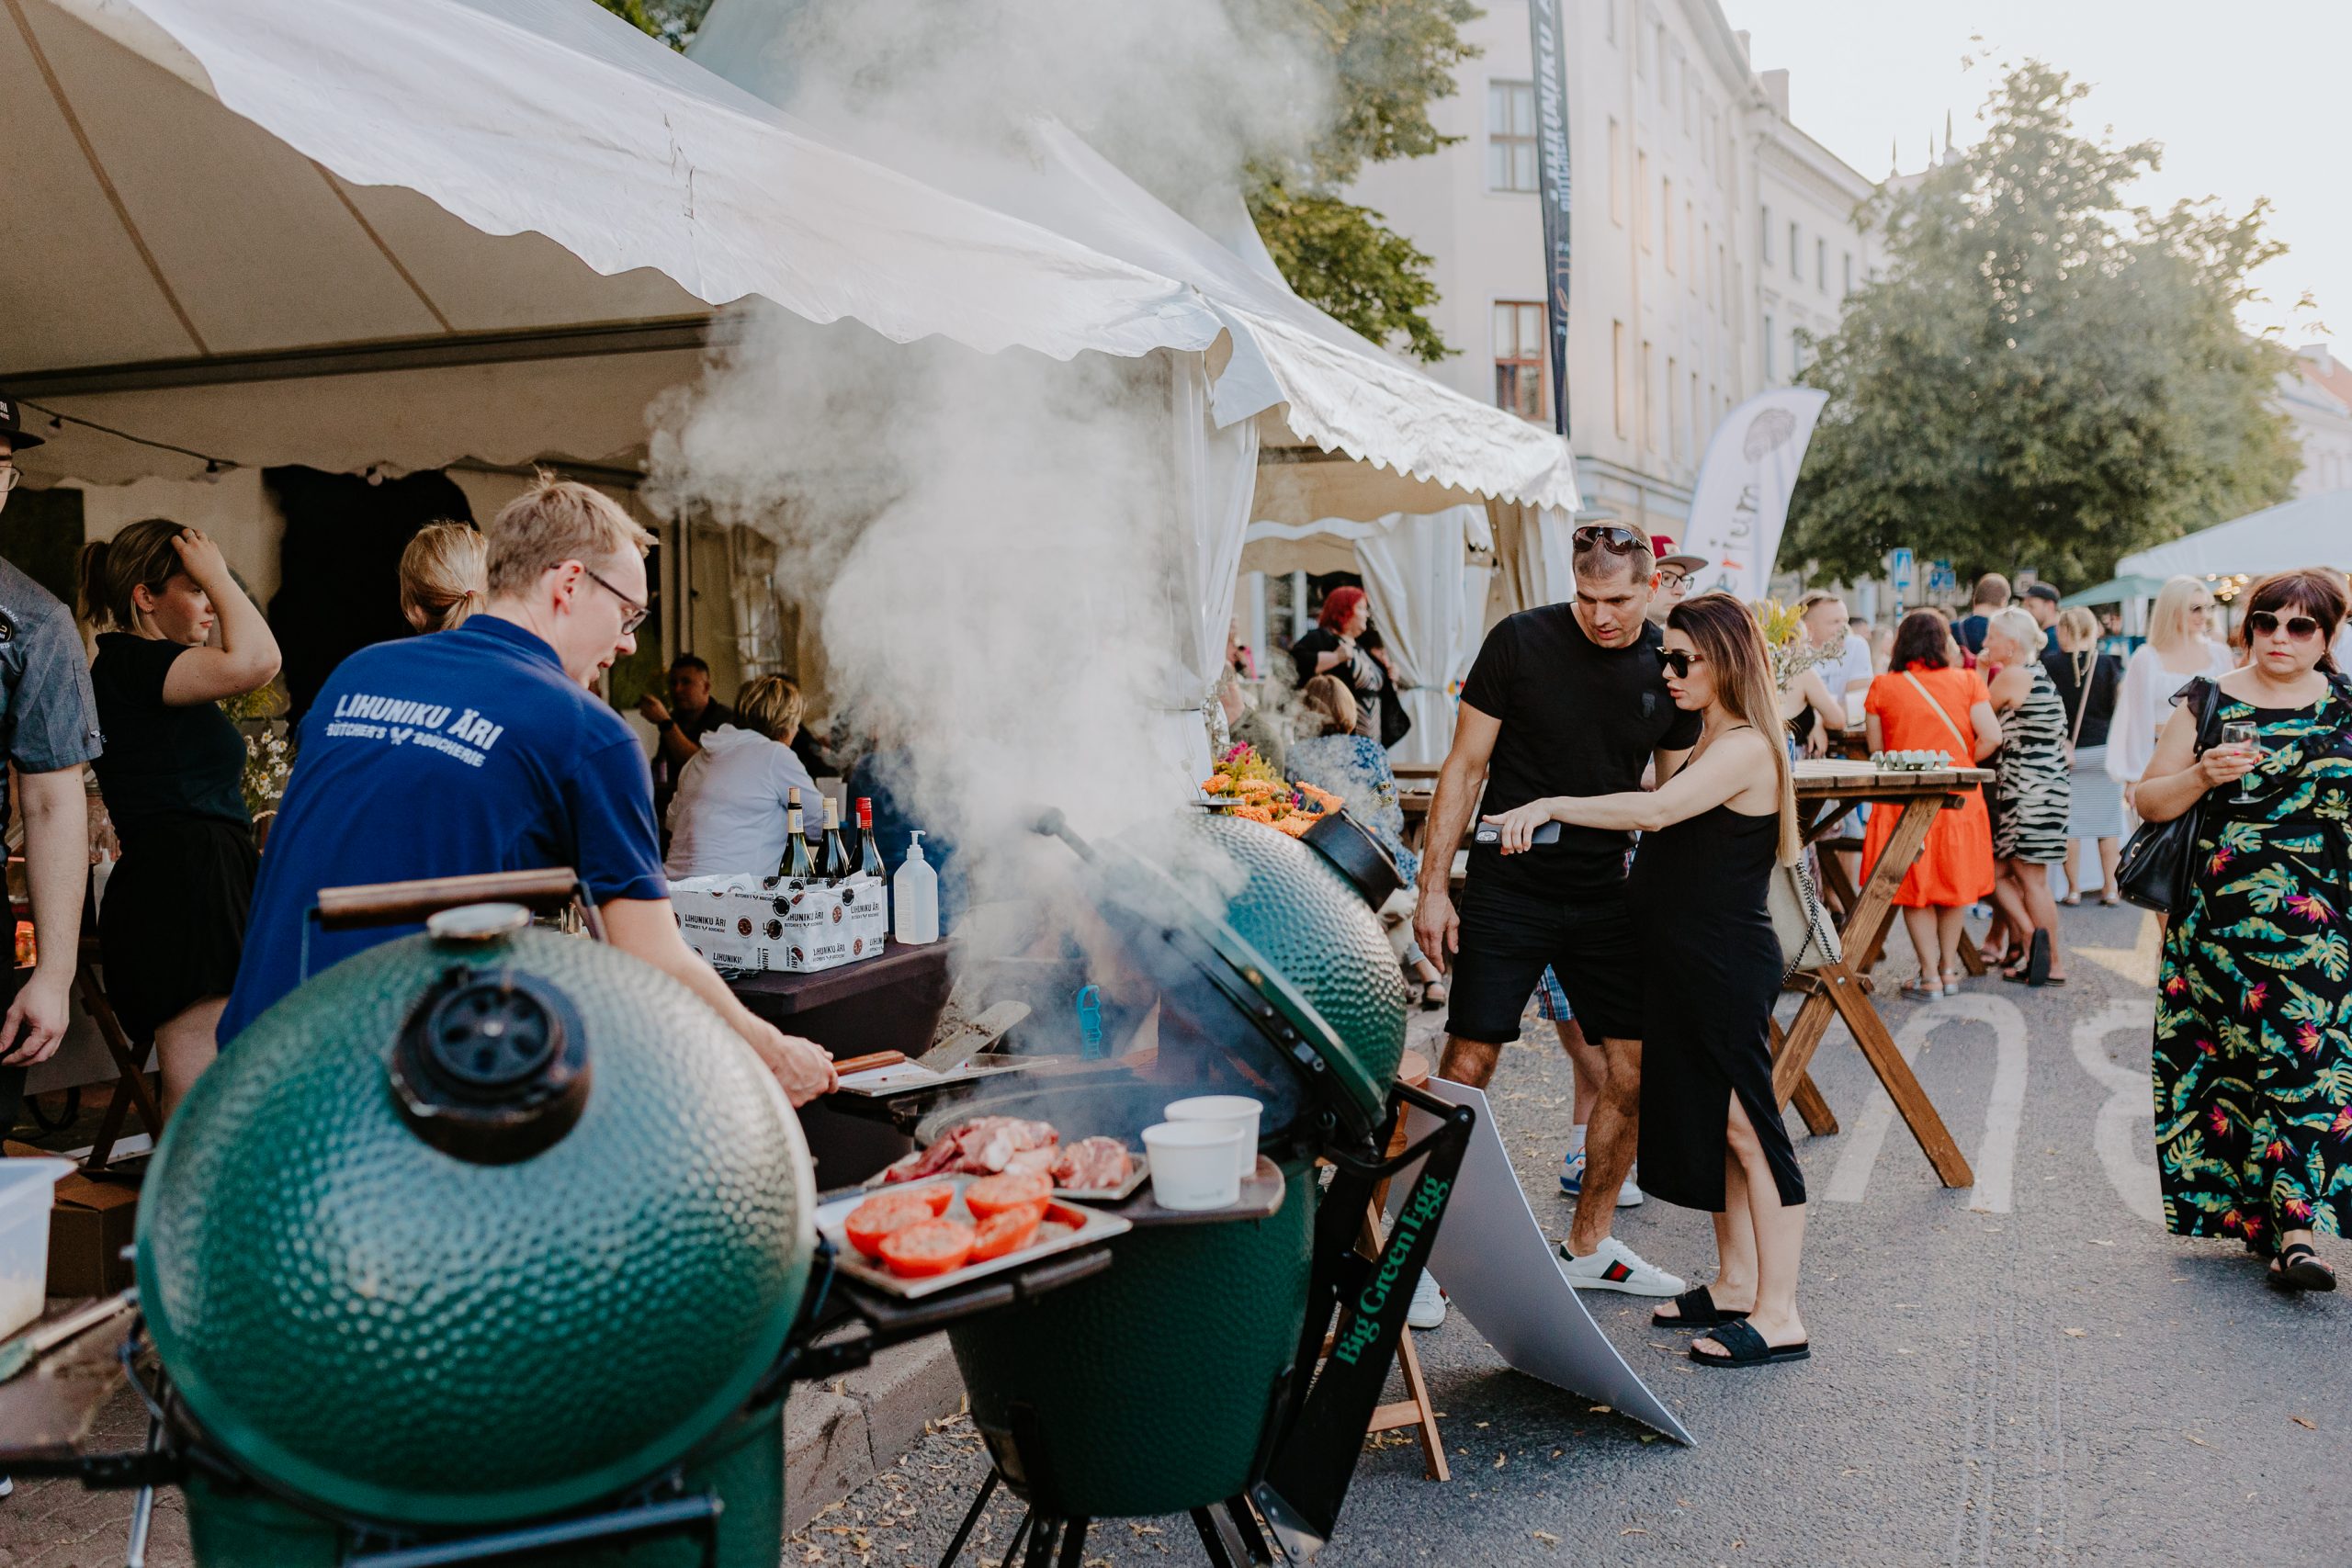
476,1231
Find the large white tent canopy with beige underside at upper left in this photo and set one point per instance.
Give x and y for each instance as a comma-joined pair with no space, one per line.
227,208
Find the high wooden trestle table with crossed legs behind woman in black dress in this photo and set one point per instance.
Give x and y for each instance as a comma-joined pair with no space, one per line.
1826,793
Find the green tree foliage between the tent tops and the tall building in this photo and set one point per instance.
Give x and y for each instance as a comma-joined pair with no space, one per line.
1391,62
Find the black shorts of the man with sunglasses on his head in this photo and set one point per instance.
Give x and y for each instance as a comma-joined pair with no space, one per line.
1506,942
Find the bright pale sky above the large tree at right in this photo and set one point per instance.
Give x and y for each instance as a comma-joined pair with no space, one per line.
2240,95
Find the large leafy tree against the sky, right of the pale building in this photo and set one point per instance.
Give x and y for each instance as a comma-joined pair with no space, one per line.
2045,377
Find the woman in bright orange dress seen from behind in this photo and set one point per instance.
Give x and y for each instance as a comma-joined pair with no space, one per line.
1930,704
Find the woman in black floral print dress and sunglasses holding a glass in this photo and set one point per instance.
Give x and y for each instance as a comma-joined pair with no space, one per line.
2254,998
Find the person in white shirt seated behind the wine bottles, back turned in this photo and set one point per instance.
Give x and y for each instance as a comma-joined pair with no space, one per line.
728,815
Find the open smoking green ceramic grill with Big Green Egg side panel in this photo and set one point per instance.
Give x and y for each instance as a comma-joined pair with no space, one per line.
1182,1376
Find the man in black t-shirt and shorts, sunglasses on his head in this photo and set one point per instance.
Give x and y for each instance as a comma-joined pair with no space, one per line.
1568,699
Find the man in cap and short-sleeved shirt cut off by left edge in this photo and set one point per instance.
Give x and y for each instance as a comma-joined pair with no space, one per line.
48,730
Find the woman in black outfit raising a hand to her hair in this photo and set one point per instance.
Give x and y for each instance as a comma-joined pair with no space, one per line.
173,775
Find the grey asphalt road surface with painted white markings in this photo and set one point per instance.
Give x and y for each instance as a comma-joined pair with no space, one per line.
2022,1374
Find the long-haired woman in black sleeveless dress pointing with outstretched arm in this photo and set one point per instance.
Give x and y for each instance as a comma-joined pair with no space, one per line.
1711,838
